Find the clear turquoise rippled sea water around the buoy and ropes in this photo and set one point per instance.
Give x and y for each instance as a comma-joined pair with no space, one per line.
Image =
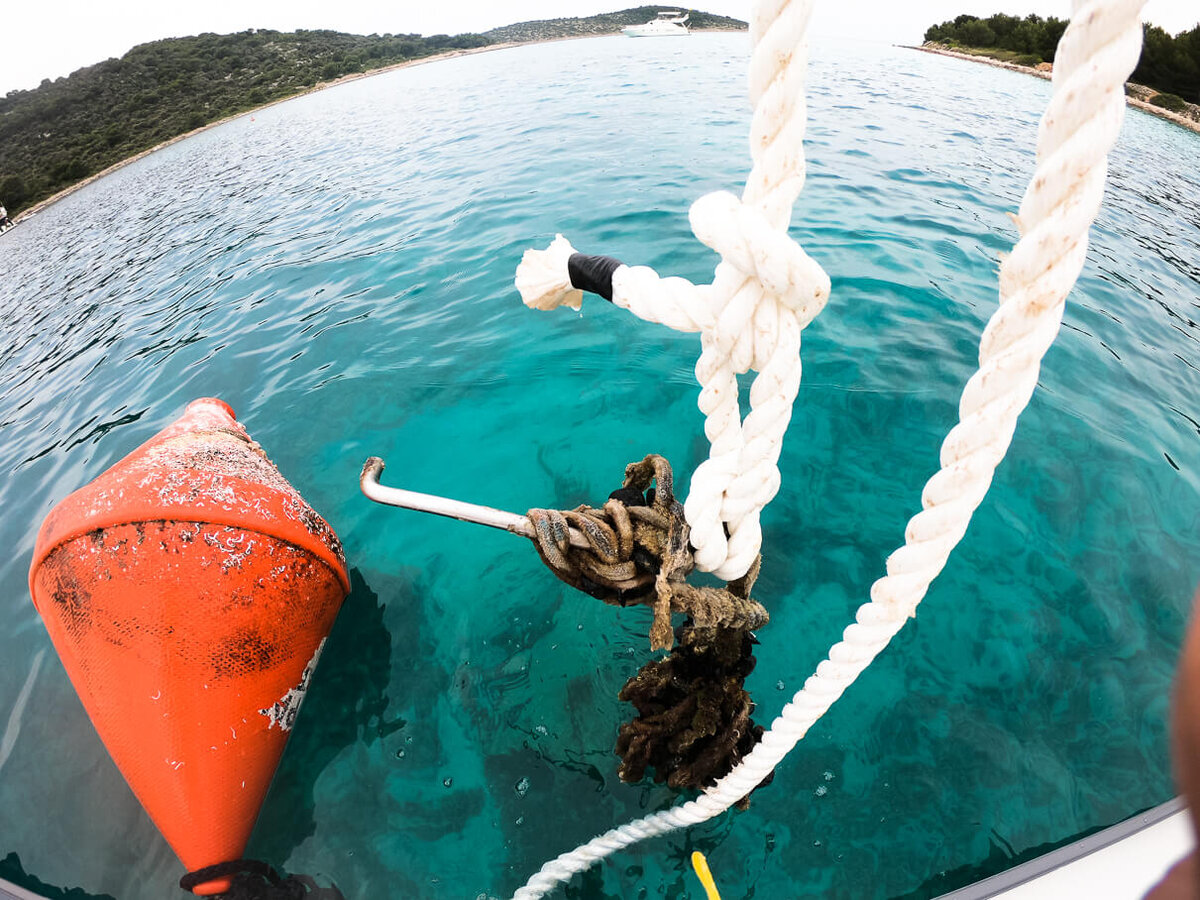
339,269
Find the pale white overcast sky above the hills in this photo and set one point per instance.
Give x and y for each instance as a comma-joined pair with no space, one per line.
47,39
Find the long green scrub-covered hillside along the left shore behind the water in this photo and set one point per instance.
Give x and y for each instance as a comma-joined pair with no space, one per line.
67,130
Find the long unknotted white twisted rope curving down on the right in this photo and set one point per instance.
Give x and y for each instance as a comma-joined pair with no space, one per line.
1096,56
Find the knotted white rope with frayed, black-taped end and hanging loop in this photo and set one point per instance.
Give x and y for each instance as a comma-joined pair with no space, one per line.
765,292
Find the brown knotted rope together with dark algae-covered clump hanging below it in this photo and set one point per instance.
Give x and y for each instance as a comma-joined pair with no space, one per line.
693,723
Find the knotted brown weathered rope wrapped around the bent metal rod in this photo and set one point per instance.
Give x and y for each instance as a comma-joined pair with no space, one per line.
635,550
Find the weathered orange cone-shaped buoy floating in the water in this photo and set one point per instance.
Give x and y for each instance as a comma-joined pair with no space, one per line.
189,592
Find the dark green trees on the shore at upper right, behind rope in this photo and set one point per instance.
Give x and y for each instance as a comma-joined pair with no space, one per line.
1171,65
